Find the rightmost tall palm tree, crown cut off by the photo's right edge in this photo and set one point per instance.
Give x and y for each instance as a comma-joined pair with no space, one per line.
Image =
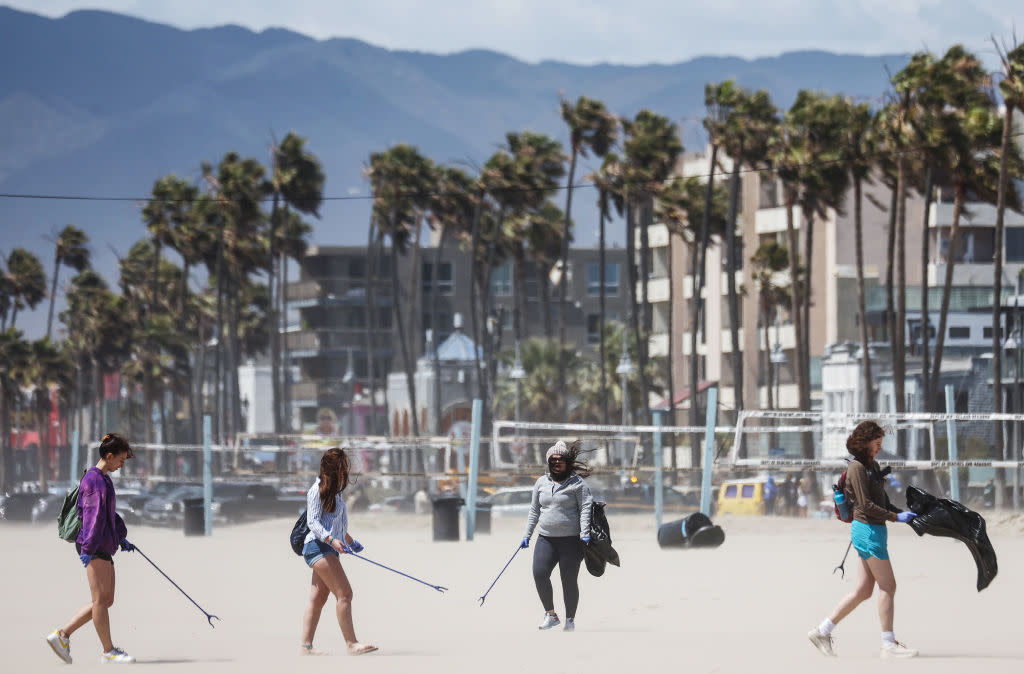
1012,89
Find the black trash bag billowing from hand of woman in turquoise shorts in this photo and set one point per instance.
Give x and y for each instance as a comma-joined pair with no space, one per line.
953,520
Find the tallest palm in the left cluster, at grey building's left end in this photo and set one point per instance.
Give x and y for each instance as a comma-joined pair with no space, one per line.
297,183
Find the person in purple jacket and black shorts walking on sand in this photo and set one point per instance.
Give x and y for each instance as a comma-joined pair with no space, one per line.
103,533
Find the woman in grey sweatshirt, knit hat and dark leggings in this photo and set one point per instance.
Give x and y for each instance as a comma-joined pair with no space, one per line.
561,512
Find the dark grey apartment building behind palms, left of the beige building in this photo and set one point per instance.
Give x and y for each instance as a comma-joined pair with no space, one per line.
330,344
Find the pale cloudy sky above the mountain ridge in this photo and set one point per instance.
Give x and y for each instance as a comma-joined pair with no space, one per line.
596,31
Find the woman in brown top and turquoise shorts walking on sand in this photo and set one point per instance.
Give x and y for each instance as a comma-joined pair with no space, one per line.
866,491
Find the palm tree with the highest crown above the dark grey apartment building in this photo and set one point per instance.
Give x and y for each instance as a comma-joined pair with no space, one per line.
592,128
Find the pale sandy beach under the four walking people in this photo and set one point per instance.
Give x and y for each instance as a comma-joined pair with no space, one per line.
744,607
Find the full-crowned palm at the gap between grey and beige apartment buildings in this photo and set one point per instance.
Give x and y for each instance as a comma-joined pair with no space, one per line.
651,152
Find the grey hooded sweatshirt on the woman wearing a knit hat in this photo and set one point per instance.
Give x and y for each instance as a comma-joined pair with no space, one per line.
561,510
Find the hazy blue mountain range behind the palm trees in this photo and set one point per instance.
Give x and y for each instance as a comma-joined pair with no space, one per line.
102,105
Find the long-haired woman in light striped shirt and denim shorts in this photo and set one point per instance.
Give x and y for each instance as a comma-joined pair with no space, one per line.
328,539
